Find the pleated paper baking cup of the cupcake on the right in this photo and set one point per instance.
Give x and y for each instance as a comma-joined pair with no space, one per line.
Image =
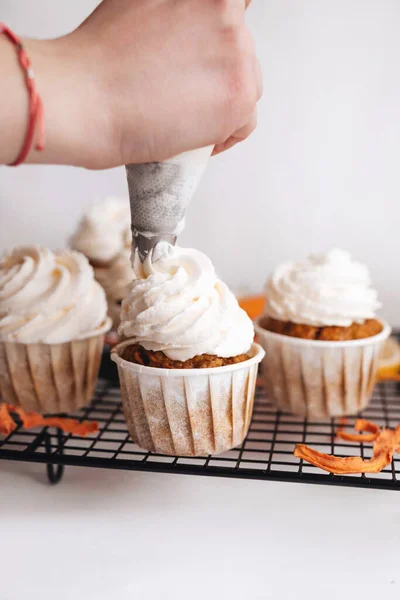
320,379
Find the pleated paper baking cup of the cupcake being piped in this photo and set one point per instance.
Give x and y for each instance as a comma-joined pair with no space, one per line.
188,412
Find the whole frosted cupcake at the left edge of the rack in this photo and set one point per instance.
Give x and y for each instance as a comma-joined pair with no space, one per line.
53,317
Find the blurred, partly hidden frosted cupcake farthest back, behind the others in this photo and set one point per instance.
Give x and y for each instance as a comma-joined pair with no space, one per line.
104,236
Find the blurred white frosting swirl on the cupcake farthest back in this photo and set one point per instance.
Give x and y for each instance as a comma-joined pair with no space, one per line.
104,231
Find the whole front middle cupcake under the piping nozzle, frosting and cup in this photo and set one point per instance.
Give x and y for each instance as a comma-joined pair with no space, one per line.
188,368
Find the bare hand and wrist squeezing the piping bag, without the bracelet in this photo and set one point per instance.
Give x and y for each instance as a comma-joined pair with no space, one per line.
144,80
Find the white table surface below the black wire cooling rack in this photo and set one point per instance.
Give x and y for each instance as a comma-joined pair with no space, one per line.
123,535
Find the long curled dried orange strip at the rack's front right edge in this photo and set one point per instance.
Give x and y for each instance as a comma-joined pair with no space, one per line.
383,450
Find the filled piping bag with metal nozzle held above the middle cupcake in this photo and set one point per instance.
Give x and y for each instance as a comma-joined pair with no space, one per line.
159,193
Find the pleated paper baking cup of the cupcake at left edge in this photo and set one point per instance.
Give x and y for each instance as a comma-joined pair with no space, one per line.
51,378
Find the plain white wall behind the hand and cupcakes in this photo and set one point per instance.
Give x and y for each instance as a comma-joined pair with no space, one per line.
322,170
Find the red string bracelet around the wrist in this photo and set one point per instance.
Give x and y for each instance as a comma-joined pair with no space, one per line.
35,114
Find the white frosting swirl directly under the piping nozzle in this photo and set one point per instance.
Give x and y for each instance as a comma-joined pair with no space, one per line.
178,305
